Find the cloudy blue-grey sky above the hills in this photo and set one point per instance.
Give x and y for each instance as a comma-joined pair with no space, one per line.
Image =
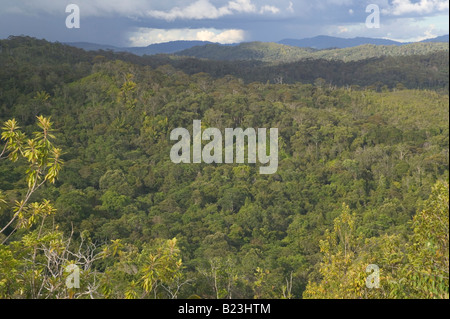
144,22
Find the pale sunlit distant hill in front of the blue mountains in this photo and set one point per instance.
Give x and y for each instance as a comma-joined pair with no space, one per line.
279,53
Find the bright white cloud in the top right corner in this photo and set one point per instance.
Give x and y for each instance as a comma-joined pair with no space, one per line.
402,7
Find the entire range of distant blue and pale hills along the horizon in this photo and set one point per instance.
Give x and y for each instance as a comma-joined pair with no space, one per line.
287,50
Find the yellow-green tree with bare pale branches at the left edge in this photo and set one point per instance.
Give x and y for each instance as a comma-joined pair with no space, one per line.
35,265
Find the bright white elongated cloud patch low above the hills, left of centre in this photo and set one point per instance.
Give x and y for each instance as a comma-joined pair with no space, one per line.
145,36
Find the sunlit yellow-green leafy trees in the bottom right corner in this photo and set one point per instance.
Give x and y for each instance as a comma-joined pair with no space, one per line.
416,268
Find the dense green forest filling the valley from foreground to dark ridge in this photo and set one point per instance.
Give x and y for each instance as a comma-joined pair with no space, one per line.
86,178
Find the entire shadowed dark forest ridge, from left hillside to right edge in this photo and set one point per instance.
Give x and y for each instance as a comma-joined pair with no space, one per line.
428,71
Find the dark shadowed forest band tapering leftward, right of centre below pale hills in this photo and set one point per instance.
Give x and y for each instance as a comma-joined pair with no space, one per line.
414,72
